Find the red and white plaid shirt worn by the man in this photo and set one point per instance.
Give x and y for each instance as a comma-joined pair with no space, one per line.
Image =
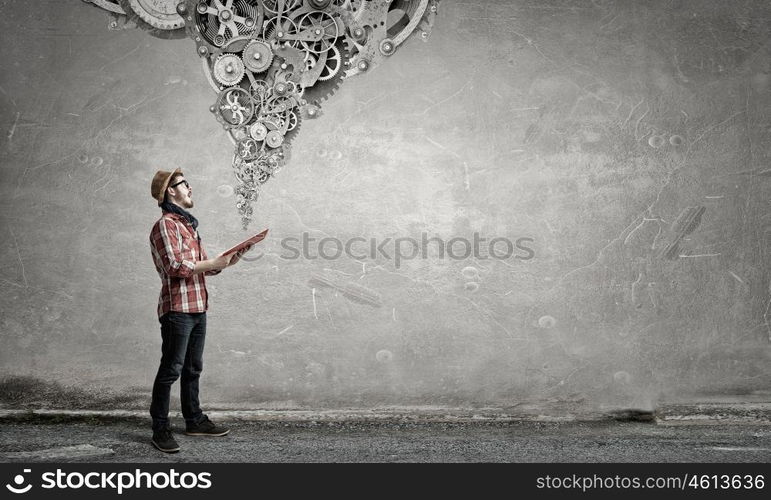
176,248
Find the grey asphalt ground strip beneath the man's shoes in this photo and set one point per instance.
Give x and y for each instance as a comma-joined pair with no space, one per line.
89,439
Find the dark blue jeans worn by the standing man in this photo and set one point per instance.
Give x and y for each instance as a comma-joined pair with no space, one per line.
183,337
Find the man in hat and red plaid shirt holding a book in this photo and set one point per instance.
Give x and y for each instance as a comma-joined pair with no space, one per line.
182,265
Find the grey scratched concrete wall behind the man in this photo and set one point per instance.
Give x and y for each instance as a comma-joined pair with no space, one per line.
589,126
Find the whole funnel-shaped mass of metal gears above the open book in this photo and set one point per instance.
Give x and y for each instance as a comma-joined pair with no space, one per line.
273,62
